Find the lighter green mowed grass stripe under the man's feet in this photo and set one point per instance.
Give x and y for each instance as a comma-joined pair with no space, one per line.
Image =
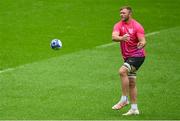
85,84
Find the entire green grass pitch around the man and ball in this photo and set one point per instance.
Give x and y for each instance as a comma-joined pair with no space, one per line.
81,81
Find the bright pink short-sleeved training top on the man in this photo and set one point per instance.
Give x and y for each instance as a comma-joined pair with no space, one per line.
134,30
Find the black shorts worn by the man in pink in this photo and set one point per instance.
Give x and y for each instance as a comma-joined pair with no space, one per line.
135,61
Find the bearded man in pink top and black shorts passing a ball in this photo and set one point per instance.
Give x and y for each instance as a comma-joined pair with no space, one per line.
131,36
